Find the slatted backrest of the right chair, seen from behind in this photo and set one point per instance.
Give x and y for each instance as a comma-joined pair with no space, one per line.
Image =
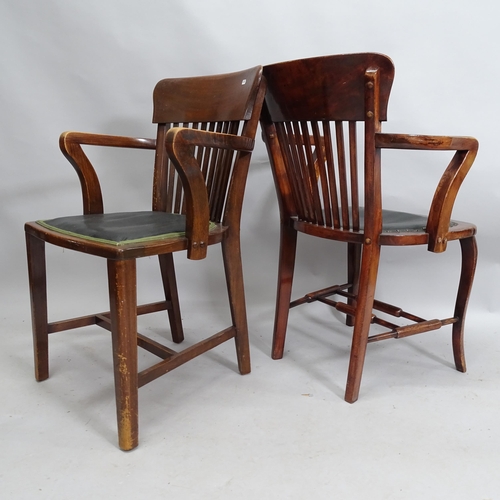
313,113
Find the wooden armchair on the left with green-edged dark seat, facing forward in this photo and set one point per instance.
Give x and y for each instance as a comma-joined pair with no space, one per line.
206,130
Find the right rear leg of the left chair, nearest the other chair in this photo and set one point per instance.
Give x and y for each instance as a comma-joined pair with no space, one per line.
231,254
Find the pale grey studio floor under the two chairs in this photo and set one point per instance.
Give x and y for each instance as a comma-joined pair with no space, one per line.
420,430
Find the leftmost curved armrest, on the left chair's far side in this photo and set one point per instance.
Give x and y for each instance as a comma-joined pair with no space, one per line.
70,144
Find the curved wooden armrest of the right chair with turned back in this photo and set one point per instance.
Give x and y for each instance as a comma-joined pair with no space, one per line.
438,222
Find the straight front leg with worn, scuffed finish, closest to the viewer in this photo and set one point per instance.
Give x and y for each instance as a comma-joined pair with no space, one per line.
123,312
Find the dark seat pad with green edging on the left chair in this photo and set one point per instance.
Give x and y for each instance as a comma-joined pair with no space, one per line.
120,228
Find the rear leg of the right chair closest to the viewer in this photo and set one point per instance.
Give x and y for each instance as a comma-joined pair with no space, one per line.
367,284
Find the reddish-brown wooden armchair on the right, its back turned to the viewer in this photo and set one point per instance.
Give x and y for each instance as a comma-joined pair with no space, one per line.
314,111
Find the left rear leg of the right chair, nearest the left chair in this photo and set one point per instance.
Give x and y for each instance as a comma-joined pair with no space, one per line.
288,248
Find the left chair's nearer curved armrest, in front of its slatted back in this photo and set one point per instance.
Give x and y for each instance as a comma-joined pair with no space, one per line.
180,144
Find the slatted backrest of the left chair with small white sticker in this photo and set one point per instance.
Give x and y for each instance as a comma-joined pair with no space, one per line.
228,103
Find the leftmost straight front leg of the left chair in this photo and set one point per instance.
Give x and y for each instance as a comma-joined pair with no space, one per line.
38,293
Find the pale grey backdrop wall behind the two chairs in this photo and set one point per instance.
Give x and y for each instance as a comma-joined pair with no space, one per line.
91,66
